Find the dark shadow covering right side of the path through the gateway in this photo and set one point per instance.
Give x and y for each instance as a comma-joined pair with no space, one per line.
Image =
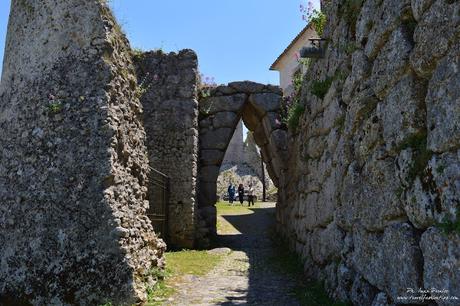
267,285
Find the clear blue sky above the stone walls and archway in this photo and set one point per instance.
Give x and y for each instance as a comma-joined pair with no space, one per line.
234,39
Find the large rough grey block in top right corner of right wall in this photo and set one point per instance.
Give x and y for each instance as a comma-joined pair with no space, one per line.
437,30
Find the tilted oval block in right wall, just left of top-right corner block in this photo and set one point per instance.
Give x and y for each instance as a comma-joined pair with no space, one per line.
391,62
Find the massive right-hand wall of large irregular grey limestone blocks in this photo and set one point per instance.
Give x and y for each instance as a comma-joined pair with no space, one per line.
374,167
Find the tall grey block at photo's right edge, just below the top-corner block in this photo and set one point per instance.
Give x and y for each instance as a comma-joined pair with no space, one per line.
443,103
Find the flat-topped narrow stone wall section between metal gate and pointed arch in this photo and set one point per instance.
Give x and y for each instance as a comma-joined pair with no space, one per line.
169,88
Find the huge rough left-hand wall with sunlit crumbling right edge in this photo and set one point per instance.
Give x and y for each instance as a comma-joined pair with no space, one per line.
73,163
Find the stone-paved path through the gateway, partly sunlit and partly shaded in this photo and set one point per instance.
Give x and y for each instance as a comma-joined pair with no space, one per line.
245,276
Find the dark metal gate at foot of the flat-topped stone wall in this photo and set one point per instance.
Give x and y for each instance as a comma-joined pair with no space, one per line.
159,200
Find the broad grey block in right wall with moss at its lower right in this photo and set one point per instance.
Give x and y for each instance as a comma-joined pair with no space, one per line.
401,112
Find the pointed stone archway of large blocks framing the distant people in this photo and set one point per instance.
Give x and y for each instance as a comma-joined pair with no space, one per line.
258,106
